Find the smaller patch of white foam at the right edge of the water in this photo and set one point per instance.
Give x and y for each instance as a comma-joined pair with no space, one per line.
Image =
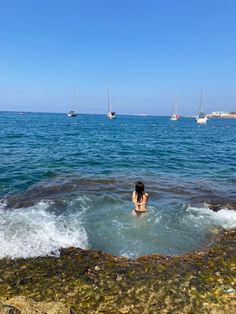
224,218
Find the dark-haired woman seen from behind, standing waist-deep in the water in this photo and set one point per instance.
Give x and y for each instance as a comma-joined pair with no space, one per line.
139,198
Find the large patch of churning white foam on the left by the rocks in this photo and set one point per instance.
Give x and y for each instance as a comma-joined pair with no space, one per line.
35,231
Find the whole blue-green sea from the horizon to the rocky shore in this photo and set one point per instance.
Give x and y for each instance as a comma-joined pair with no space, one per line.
68,182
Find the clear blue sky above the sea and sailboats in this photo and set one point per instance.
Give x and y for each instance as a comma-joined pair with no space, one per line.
148,50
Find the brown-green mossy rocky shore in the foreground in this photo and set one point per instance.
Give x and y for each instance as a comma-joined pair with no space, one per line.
84,281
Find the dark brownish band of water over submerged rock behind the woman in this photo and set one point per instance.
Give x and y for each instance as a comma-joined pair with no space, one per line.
161,190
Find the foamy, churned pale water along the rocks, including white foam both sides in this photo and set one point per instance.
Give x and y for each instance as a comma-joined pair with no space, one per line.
45,228
